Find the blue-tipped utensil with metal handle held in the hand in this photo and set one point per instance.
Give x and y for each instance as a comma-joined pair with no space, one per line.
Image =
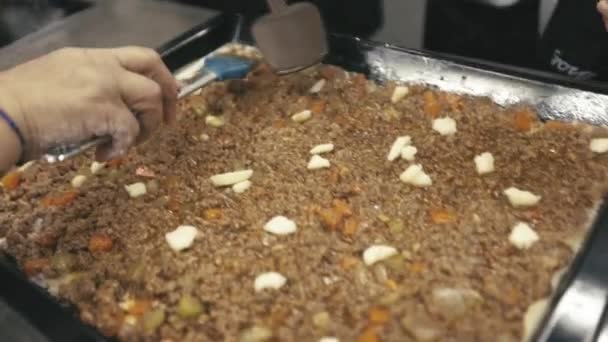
217,68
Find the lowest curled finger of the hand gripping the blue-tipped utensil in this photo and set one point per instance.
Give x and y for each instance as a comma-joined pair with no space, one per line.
124,129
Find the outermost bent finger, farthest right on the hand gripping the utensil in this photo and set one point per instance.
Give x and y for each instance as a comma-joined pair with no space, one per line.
148,63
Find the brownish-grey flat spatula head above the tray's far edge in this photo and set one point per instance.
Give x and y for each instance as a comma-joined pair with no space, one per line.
292,39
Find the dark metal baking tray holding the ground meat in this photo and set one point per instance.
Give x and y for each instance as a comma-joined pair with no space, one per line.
577,309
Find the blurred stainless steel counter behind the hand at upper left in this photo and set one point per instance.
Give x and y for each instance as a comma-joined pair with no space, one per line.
109,23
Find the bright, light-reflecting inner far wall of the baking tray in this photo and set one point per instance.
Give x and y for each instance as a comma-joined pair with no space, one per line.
553,102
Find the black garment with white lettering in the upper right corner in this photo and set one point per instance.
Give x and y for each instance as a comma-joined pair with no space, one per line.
575,42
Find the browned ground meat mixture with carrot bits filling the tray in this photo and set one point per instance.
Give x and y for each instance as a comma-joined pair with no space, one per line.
448,268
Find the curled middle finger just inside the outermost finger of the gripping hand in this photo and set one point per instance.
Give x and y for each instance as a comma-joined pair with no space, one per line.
144,98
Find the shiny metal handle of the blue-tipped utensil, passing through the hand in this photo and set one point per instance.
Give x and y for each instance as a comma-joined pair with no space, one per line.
64,152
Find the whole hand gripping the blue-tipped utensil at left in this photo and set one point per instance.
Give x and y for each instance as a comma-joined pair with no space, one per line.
72,95
